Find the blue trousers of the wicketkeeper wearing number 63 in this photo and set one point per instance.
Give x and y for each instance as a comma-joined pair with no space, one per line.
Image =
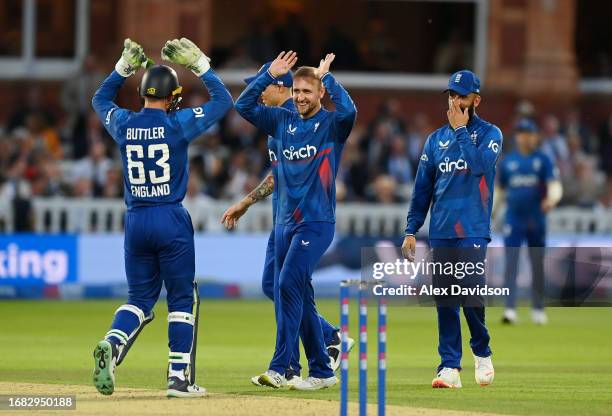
159,249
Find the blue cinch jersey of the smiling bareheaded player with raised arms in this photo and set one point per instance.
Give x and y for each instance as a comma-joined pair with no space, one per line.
307,152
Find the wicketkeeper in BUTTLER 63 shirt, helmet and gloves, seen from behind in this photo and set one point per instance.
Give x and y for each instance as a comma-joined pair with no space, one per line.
159,246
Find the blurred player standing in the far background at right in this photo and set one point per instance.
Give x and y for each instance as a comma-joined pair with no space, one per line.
529,182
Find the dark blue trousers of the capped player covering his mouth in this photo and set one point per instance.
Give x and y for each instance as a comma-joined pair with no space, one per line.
449,319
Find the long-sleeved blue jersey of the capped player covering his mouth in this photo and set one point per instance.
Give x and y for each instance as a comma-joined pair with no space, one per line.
456,175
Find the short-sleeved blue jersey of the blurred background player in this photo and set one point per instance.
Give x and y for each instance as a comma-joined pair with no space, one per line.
525,178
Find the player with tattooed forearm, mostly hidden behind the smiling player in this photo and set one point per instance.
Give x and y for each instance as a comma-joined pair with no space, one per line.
279,94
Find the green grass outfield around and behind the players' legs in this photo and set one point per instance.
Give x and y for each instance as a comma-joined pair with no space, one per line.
563,368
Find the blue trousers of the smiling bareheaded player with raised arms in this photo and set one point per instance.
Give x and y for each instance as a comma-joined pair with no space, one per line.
298,249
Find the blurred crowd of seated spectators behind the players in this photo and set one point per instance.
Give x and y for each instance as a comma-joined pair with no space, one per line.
73,156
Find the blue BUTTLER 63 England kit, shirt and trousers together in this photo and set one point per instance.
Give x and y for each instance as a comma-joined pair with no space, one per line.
159,246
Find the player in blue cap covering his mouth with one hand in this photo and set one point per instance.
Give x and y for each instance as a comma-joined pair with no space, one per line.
456,176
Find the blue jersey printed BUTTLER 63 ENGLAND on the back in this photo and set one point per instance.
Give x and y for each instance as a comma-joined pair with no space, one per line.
153,143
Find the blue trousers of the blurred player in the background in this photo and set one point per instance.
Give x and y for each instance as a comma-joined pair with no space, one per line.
532,231
